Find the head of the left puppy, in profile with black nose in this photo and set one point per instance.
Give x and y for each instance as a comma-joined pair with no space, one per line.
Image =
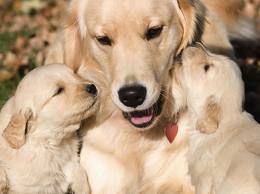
50,103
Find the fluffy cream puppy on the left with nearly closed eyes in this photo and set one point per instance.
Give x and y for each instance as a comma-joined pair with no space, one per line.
38,143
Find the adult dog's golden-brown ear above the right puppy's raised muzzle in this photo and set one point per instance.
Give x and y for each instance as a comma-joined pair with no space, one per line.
191,14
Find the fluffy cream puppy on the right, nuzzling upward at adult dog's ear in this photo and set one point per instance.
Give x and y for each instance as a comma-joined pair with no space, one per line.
224,156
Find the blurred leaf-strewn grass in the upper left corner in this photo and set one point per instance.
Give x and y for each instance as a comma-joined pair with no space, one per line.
27,28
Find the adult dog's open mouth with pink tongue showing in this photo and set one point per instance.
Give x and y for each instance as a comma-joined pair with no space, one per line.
145,118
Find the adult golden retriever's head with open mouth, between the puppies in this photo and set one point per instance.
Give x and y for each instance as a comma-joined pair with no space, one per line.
134,42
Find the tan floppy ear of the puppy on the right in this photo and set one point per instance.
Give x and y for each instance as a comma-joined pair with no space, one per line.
208,122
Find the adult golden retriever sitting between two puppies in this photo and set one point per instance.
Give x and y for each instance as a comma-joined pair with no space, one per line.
133,44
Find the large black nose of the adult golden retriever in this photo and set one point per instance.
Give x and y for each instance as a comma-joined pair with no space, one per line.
132,96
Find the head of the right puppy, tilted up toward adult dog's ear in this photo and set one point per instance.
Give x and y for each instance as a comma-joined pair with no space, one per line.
212,85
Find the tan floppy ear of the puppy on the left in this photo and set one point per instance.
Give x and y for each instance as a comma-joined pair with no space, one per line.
17,128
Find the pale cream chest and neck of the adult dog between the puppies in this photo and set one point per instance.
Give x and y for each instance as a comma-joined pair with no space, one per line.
133,161
